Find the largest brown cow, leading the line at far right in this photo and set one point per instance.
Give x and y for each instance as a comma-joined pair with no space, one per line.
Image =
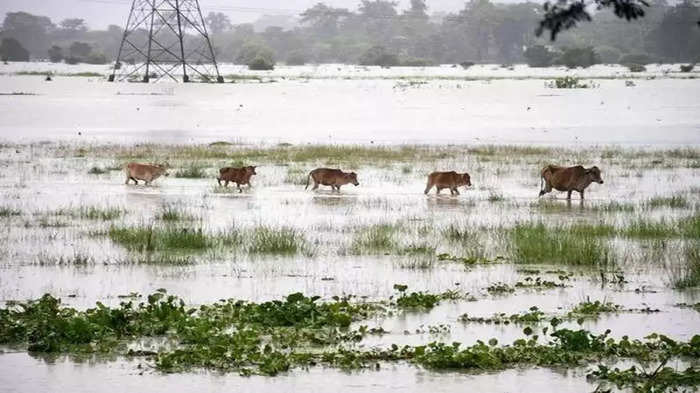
575,178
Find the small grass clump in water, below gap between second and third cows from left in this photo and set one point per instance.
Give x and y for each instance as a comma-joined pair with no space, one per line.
278,241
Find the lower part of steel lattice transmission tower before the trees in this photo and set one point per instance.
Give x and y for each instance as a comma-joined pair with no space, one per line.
165,39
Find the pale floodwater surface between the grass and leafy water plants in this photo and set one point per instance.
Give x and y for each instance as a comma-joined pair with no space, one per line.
35,180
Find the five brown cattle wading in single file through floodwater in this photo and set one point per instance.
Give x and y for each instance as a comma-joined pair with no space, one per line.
569,179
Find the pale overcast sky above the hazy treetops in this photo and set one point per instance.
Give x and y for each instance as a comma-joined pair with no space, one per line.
100,13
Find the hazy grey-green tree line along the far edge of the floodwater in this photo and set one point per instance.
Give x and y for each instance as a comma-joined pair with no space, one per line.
377,33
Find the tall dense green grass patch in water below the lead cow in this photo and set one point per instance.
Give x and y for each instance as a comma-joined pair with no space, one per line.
537,243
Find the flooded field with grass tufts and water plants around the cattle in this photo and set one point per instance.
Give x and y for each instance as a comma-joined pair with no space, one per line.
540,292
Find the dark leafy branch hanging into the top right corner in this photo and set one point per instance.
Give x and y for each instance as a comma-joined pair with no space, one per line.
564,15
